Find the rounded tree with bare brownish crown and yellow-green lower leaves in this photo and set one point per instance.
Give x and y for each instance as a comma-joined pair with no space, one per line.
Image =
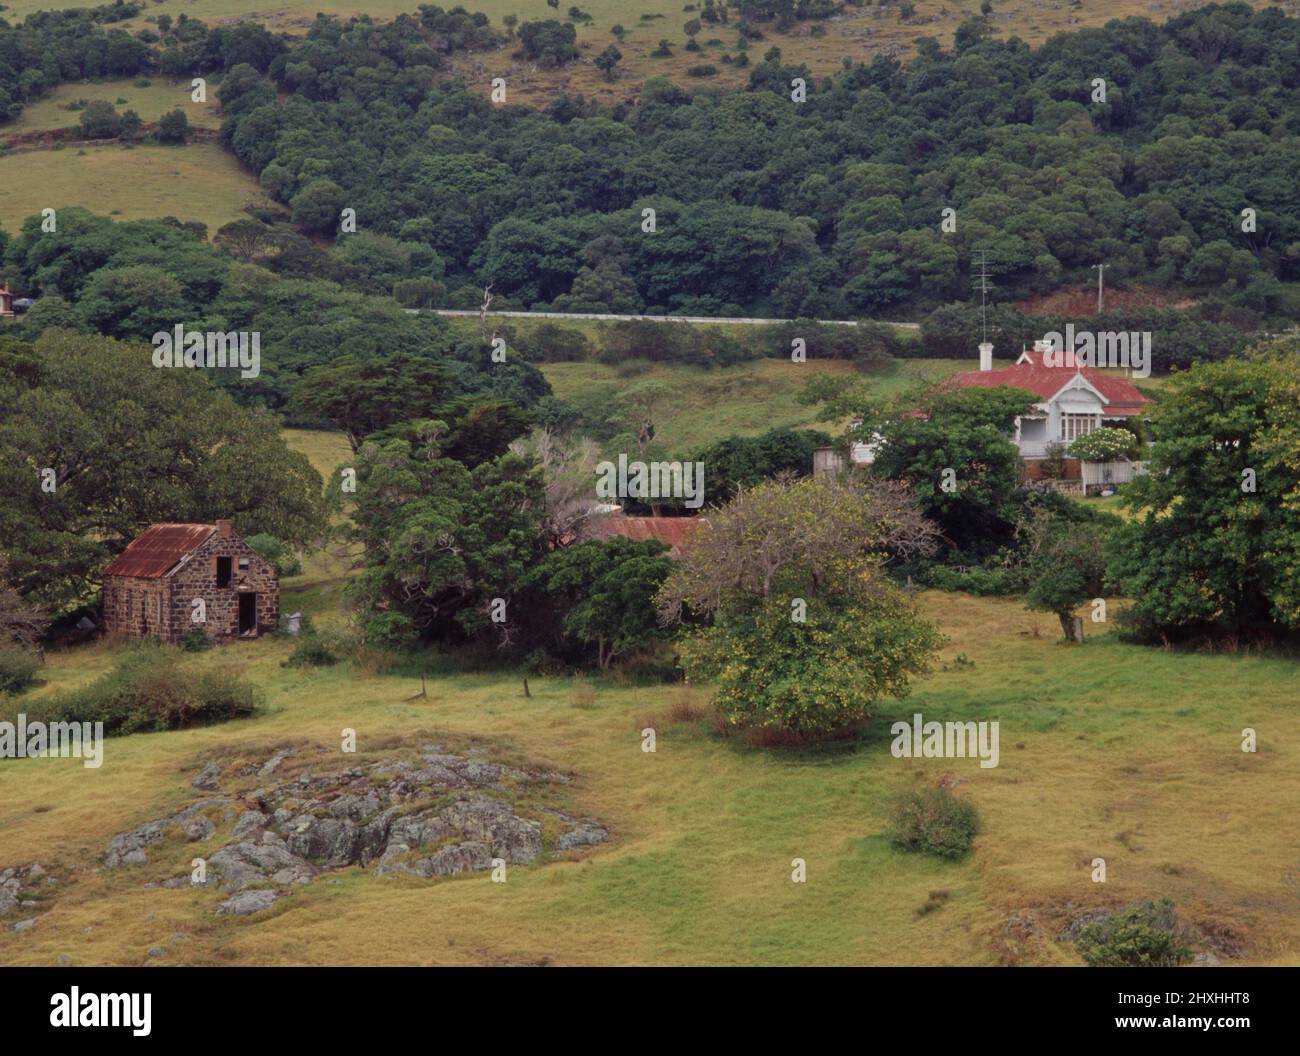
808,633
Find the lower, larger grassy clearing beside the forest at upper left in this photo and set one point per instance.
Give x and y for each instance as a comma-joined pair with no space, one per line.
198,181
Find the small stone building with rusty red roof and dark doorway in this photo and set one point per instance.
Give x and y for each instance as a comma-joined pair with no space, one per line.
176,578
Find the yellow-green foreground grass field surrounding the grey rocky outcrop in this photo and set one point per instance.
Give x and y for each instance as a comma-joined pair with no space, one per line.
1108,750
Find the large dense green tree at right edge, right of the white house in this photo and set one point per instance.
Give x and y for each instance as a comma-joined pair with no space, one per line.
1215,546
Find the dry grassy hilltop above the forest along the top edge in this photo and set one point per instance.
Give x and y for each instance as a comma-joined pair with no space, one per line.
860,33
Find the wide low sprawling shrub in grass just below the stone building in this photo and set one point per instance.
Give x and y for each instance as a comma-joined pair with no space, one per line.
151,690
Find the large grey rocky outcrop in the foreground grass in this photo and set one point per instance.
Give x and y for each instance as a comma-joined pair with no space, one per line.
437,815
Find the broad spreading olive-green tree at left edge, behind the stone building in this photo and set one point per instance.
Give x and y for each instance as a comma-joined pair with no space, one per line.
127,445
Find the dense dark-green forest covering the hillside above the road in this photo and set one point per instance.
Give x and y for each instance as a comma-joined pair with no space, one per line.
829,207
